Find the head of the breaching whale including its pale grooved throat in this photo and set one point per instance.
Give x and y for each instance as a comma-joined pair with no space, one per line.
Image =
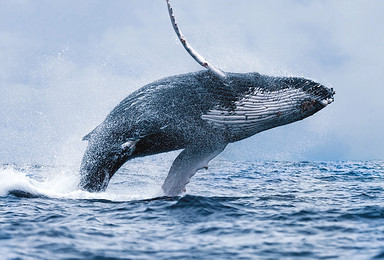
264,102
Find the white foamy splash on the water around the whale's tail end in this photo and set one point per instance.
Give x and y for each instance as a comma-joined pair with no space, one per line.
62,183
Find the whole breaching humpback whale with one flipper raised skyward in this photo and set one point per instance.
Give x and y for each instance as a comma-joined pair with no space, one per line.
199,112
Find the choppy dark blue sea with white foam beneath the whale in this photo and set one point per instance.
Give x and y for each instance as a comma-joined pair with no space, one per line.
234,210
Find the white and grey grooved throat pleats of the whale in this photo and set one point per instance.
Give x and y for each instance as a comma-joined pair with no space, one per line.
259,111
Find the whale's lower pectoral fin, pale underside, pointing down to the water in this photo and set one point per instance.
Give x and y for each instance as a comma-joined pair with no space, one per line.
187,163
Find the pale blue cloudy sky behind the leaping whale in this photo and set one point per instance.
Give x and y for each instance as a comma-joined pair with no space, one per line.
65,64
